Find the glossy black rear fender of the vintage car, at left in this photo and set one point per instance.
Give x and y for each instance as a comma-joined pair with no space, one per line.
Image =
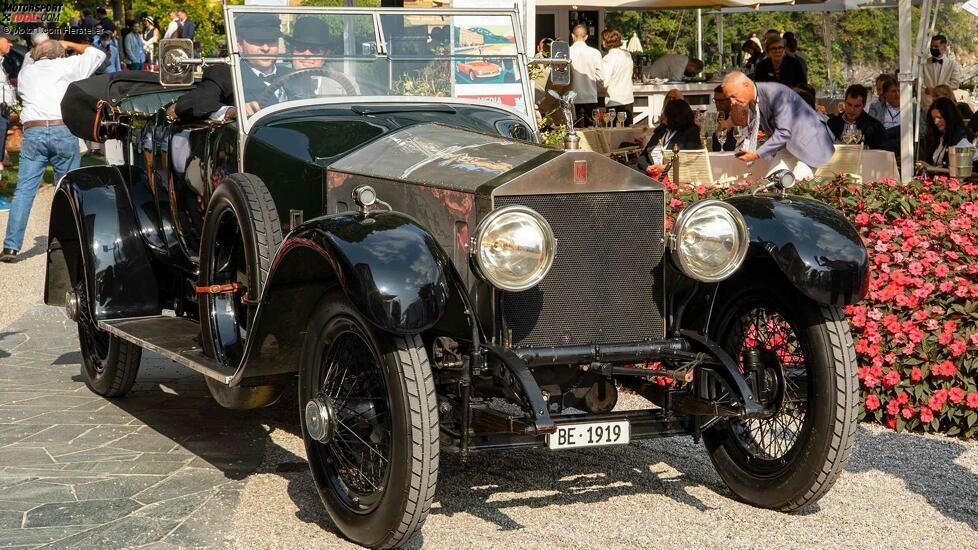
93,234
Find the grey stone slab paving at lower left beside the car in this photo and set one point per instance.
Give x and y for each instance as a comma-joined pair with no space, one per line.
81,471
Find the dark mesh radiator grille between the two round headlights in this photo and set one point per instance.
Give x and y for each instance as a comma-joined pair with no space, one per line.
606,282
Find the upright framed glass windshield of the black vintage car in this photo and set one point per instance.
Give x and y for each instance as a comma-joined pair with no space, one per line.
319,53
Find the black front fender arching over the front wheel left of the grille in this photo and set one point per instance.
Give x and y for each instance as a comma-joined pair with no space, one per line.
391,269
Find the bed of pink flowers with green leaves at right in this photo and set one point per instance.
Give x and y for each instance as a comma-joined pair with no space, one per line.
916,332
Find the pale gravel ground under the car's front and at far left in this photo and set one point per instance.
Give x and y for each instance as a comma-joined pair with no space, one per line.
899,490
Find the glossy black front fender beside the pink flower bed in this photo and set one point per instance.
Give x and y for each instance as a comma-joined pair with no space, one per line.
814,245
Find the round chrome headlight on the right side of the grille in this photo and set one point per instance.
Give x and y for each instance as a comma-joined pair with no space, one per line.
709,240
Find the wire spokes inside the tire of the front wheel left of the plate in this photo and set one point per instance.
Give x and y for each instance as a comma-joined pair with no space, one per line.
357,456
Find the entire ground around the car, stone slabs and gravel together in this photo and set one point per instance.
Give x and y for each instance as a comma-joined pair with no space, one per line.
166,467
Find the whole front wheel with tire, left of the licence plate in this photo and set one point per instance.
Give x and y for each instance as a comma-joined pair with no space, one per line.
376,473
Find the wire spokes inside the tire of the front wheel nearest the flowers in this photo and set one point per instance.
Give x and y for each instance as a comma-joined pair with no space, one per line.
767,349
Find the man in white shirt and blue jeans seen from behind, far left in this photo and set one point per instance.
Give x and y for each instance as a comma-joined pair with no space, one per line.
42,85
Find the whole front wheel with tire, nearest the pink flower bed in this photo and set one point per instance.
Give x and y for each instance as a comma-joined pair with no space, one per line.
792,457
